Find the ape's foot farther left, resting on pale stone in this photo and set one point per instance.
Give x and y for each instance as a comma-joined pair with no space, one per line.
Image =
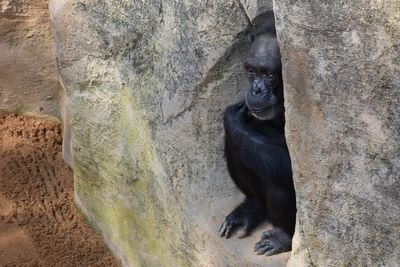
244,218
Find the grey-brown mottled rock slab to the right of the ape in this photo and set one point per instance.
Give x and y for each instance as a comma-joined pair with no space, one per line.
342,75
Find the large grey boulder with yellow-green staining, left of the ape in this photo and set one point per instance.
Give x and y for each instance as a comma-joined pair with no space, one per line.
146,84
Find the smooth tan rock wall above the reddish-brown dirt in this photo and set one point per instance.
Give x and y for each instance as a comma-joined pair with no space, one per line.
28,72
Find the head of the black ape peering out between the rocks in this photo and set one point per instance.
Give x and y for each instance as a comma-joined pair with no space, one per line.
263,66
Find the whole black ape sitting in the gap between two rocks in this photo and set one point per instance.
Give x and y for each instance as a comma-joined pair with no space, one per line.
256,152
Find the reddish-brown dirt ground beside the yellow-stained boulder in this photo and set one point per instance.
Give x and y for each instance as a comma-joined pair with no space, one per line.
39,224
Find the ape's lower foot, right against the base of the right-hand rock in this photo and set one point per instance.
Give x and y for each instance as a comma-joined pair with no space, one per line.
273,242
